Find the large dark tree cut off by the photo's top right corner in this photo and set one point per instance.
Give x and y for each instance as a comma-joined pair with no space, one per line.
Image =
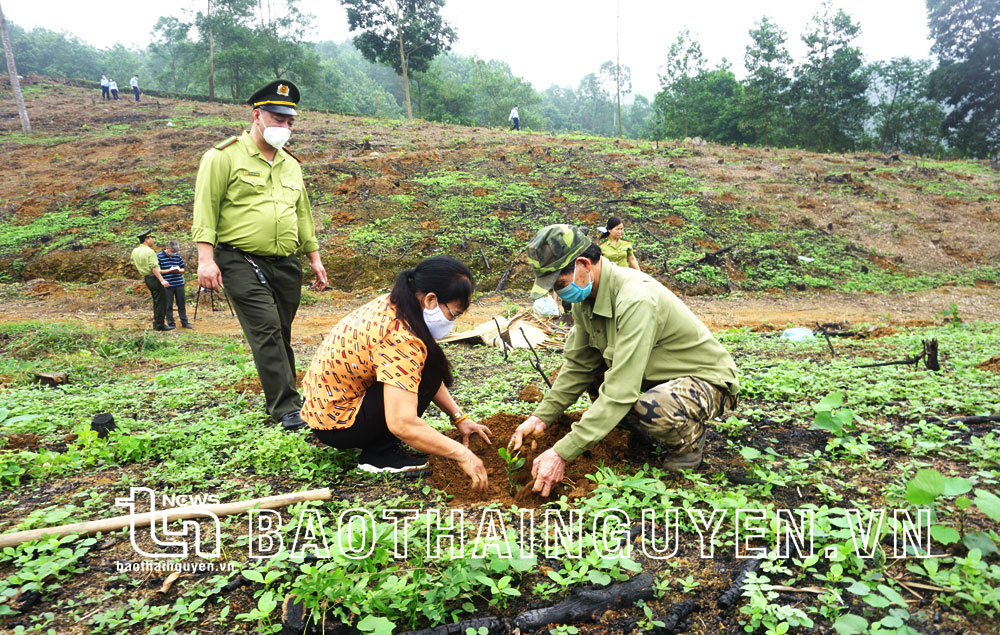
967,43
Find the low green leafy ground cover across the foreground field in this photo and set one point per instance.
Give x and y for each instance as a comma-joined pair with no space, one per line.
188,428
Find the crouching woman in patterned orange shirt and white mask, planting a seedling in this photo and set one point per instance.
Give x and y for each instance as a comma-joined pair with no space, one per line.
380,367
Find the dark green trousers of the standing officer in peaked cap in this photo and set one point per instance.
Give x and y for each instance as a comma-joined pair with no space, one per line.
265,312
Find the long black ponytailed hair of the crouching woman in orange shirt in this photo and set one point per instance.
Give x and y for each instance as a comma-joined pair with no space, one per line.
444,276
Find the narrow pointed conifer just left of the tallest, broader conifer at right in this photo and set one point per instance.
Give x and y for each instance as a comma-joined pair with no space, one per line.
765,91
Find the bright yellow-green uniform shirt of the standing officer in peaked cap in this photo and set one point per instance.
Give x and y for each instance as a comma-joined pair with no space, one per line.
241,200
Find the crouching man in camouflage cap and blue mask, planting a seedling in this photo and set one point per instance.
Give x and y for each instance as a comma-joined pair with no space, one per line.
657,366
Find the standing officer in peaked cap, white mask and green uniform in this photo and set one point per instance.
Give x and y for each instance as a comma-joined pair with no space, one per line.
251,217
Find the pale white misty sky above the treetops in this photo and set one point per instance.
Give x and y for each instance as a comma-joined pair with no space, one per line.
545,41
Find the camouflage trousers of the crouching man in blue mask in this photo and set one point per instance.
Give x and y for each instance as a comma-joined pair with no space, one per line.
674,413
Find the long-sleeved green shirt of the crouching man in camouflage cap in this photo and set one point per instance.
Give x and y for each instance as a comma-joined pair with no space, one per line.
641,331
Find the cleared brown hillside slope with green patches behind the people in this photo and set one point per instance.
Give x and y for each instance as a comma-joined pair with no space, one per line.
386,193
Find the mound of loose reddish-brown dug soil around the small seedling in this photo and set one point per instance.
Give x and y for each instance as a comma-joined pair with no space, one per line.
449,477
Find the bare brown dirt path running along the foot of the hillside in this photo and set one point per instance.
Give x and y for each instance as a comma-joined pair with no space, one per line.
109,306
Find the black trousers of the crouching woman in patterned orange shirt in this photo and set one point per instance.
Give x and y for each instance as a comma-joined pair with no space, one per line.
370,430
